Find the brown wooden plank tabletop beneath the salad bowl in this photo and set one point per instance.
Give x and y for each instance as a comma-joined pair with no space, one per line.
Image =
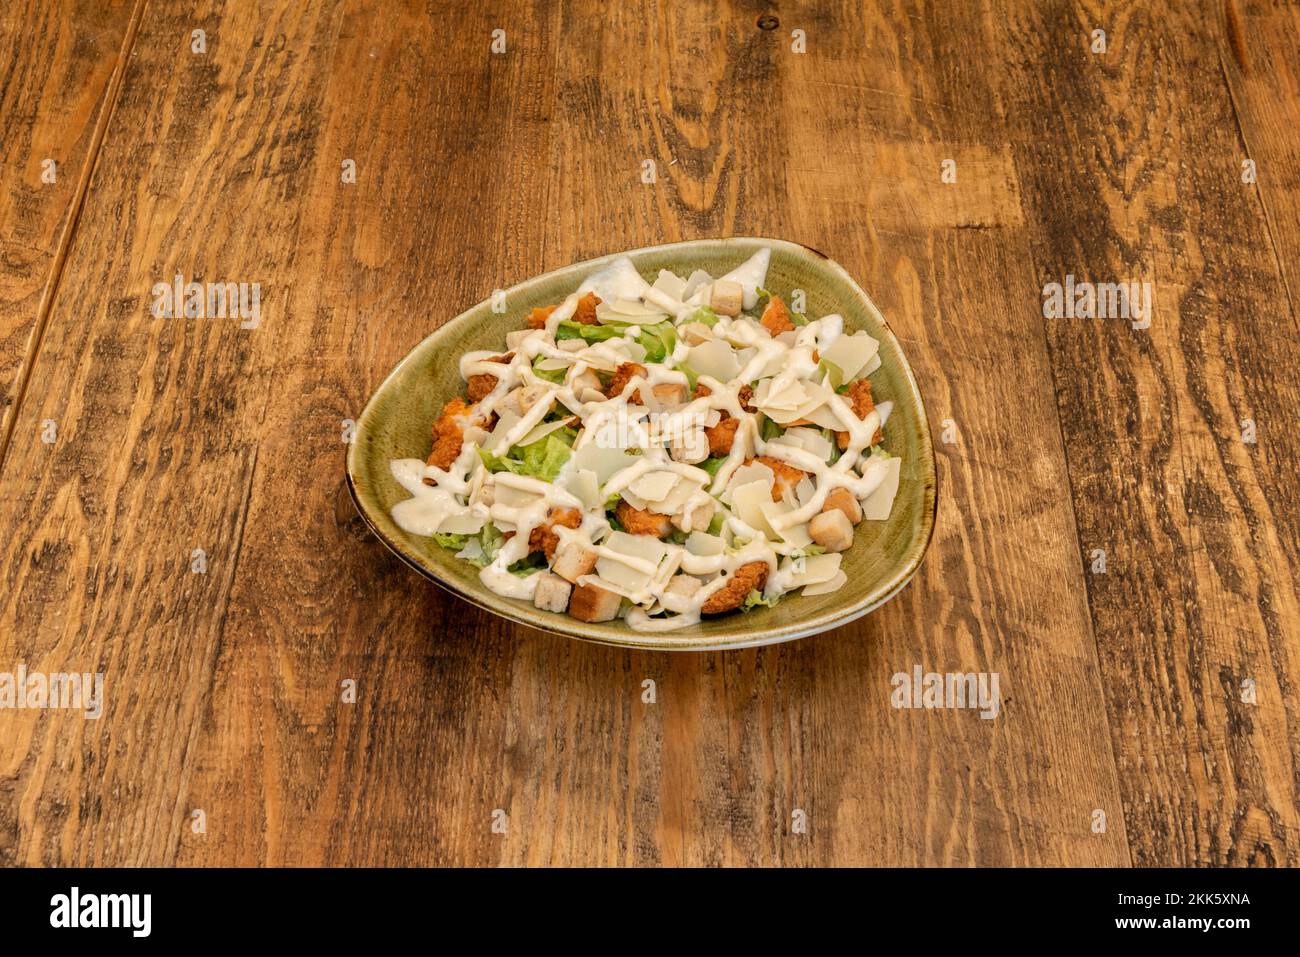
1120,506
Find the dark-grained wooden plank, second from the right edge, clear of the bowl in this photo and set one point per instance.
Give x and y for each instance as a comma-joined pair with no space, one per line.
1130,166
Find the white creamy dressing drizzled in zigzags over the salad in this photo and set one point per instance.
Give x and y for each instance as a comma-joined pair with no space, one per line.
466,496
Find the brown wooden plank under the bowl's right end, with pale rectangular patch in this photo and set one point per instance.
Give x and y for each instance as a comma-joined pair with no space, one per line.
1000,591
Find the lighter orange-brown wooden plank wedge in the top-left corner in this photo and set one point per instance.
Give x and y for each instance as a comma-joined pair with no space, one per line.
58,64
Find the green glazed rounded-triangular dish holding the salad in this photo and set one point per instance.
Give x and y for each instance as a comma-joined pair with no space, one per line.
396,425
